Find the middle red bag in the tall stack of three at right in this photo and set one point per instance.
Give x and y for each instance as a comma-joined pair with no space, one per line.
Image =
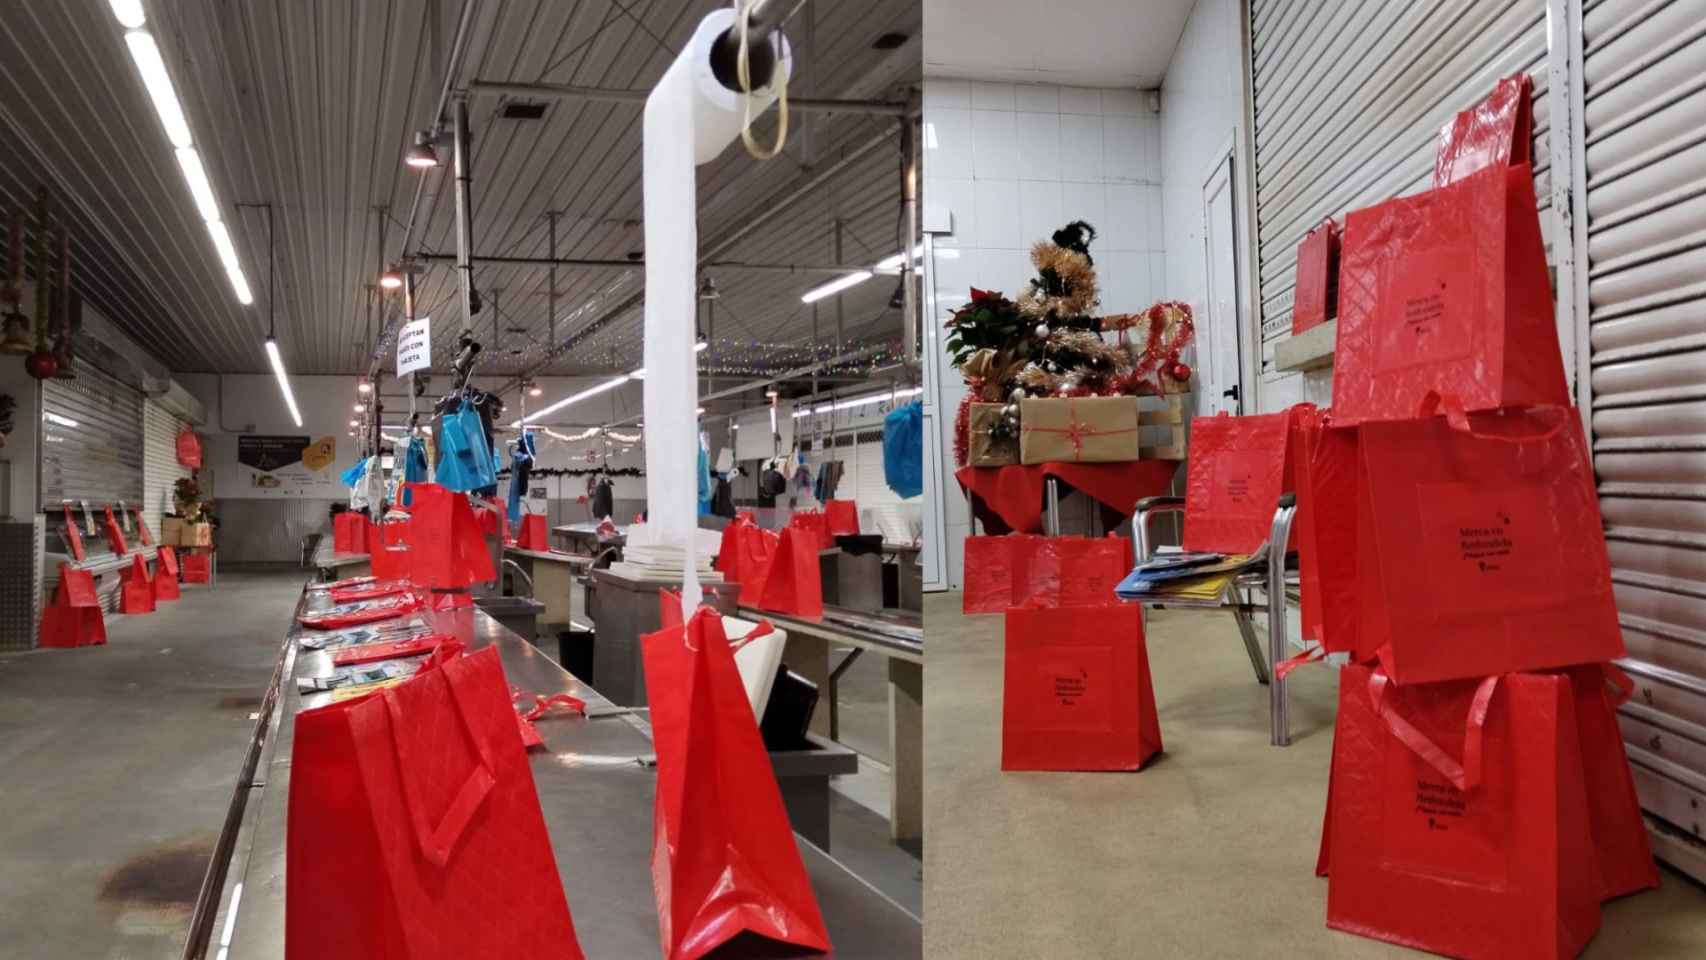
1480,547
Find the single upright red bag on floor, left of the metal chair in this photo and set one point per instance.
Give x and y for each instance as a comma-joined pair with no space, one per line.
1077,691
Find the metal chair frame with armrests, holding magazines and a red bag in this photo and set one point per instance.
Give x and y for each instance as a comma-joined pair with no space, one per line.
1262,574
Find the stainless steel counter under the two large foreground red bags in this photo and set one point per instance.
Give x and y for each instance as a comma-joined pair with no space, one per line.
598,809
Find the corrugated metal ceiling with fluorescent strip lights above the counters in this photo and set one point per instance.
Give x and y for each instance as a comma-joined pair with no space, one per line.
310,105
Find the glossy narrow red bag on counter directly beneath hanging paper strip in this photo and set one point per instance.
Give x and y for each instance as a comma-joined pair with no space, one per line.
724,859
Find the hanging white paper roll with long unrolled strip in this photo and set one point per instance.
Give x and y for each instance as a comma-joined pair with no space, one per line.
690,119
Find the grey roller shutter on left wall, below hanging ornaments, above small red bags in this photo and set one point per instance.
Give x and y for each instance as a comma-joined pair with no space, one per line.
91,432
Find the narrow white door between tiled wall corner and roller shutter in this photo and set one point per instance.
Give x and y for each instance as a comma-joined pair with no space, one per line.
1221,383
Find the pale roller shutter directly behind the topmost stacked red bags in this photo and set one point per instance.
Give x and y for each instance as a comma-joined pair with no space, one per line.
1350,98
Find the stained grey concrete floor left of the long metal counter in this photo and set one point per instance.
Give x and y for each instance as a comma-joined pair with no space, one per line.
117,768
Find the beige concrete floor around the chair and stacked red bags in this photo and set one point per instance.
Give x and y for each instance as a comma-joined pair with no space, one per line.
1207,853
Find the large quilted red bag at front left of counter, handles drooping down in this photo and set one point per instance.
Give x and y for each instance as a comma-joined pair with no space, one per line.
414,828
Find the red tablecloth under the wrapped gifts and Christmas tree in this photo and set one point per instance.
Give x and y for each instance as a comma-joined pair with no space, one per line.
1016,492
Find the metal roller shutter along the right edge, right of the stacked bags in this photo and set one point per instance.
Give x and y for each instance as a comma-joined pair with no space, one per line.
1644,127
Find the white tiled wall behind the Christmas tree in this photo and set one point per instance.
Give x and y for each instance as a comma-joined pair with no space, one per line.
1014,163
